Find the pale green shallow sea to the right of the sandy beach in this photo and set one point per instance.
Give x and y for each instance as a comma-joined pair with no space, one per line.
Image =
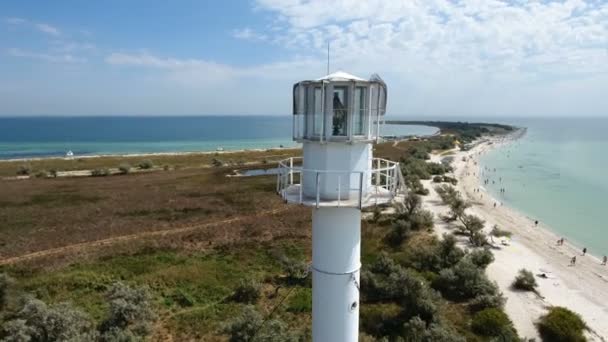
557,174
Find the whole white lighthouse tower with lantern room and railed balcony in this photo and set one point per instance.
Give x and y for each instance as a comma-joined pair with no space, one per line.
337,118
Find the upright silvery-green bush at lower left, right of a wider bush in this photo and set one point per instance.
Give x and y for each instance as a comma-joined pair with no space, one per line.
130,309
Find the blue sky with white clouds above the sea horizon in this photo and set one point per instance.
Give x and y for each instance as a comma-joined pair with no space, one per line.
439,58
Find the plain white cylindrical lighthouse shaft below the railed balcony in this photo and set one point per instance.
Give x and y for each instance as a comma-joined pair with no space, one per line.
336,251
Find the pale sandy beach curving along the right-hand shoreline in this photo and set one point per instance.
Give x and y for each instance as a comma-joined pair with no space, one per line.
582,288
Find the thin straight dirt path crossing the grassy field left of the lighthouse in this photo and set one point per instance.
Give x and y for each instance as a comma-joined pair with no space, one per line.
74,248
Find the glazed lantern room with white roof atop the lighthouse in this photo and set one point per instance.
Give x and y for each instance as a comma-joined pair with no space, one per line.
338,107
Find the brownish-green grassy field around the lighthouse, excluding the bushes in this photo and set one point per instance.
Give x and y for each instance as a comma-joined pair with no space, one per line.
190,233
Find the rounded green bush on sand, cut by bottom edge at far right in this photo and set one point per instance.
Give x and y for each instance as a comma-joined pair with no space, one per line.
561,325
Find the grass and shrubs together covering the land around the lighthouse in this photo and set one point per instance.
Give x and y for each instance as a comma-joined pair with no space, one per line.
244,278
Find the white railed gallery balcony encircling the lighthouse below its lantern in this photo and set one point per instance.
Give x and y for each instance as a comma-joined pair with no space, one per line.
380,183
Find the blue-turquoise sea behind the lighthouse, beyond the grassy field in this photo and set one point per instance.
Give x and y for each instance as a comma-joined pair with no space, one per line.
54,136
